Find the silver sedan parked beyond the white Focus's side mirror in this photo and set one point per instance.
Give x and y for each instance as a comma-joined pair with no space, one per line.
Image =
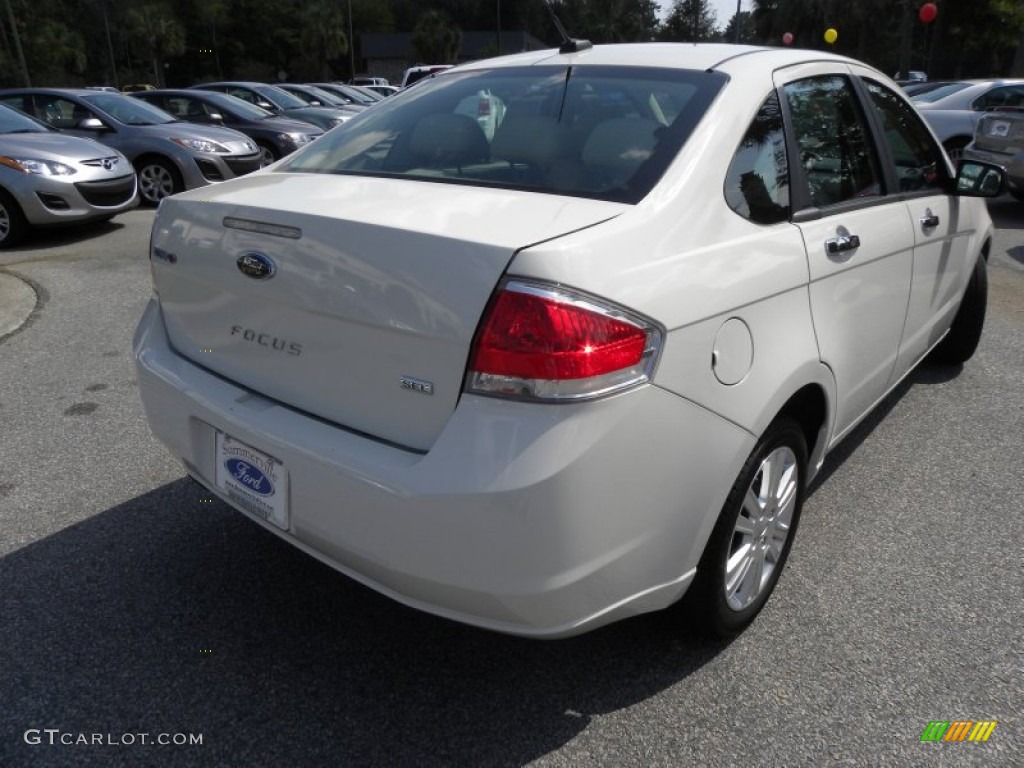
955,109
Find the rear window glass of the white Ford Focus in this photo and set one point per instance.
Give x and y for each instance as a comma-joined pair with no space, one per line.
604,133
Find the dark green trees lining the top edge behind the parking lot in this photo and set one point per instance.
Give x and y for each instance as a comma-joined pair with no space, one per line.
66,41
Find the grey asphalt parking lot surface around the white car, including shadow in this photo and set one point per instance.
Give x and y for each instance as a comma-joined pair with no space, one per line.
130,606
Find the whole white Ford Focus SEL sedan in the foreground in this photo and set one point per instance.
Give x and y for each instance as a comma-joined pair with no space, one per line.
569,373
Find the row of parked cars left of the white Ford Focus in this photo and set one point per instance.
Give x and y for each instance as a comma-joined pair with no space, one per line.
157,143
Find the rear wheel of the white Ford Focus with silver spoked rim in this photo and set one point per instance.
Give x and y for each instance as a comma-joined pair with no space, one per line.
754,533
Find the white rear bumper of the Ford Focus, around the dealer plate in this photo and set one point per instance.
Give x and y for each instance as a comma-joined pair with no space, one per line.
536,521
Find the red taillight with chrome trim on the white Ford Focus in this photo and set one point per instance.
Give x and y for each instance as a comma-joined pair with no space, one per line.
553,345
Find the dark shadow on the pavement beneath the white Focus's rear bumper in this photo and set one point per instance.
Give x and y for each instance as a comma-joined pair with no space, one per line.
175,615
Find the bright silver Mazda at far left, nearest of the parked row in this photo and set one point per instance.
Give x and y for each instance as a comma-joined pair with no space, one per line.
48,179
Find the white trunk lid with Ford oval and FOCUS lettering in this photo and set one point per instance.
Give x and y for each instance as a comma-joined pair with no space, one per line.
376,291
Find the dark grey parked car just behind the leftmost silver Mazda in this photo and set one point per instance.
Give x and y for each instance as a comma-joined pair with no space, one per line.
168,155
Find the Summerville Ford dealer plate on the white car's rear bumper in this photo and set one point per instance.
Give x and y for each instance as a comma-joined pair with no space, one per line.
252,480
